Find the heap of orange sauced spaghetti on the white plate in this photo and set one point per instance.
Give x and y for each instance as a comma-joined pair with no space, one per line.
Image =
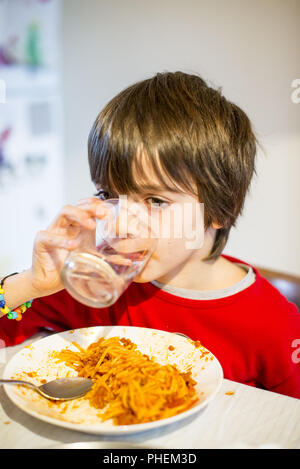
129,386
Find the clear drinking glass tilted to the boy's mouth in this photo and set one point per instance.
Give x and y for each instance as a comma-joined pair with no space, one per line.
107,261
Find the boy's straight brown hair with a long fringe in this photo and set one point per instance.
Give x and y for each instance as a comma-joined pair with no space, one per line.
192,136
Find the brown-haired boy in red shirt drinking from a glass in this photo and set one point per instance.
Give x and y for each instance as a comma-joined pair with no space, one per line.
172,140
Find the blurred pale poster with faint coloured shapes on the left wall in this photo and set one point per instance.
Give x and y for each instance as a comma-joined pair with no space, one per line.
30,125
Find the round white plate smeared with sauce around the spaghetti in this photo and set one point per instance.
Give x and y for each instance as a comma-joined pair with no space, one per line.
78,414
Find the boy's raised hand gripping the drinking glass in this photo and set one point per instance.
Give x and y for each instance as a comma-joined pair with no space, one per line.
52,246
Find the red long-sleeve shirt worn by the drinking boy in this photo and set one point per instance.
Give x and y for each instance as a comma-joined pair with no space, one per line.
255,334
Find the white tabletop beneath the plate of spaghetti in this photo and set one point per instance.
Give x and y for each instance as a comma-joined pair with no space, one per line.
249,418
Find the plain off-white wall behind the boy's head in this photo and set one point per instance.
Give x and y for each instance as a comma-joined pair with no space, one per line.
251,49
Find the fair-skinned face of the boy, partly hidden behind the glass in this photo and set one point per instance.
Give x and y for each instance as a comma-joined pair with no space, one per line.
178,221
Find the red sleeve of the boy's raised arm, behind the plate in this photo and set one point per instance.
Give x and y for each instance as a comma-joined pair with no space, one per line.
57,312
